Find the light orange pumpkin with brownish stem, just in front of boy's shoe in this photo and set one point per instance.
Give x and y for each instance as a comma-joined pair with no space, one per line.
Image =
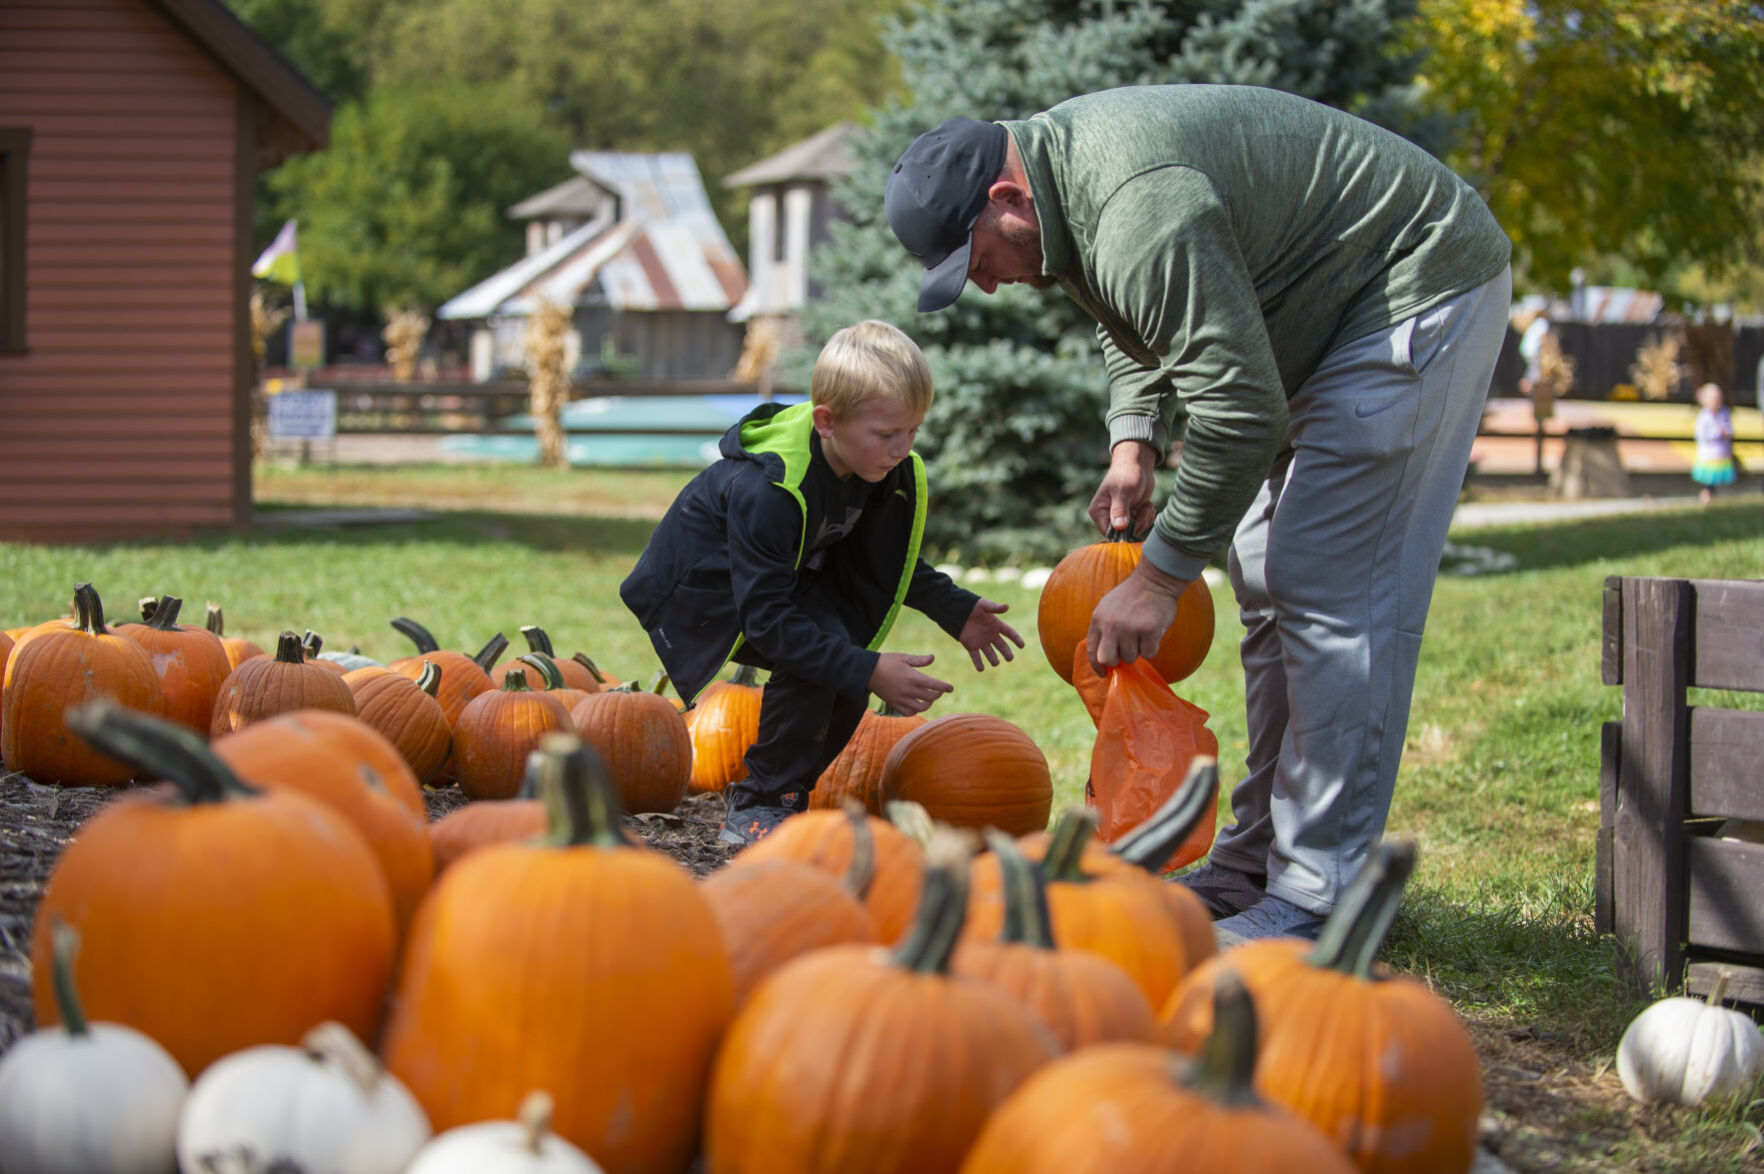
830,842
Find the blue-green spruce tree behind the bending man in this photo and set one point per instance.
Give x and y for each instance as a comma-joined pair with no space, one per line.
1015,440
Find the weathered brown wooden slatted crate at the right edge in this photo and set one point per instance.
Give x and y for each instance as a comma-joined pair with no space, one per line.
1686,902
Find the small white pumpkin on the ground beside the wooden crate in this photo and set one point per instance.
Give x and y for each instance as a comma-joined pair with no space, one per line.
1686,1050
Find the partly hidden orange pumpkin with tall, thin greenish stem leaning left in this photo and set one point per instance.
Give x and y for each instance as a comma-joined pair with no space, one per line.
1084,999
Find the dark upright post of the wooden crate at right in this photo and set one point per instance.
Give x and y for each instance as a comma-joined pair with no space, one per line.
1648,847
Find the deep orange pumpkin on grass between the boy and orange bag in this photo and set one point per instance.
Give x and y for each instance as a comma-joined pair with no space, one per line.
973,771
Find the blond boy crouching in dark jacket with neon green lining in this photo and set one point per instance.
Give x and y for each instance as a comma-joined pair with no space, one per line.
795,553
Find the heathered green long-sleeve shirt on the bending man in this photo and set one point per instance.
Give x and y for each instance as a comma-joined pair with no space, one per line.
1227,239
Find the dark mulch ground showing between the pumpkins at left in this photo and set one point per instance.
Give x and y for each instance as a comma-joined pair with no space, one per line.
36,824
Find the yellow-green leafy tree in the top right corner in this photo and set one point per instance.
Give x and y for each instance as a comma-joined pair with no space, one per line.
1611,135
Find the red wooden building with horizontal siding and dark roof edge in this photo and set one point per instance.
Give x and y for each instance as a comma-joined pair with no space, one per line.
131,138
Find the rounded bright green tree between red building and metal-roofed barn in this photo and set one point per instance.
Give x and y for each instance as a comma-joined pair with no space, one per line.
407,207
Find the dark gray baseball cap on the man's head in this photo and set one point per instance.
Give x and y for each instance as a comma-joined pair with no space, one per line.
936,195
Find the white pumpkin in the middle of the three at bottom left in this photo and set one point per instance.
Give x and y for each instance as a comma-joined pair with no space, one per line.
324,1108
